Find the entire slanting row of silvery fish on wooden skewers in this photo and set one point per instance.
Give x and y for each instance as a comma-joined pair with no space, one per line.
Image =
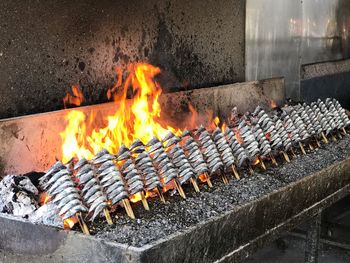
83,190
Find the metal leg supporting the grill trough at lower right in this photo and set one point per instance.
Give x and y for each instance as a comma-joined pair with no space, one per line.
313,240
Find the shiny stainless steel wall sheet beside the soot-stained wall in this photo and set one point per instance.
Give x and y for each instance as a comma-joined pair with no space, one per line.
281,35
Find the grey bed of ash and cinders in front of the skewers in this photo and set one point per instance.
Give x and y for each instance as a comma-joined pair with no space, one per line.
179,215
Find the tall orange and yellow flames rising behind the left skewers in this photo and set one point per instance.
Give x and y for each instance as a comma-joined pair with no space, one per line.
136,118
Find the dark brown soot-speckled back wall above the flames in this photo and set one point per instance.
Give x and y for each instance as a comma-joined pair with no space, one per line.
46,46
